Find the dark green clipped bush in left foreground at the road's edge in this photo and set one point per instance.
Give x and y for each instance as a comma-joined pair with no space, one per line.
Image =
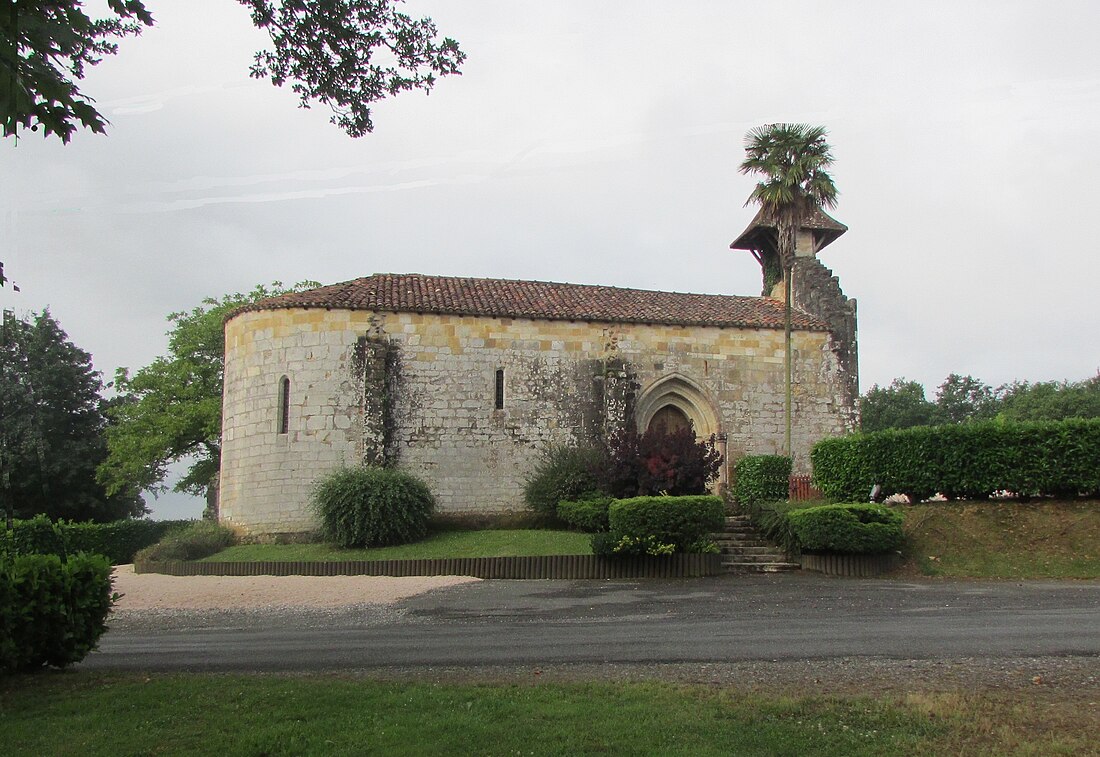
52,612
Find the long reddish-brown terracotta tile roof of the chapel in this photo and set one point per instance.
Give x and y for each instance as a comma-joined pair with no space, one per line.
496,298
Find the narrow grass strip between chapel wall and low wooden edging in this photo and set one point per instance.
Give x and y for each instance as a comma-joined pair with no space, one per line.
516,543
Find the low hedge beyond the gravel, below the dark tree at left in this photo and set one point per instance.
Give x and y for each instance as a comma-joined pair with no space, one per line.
118,541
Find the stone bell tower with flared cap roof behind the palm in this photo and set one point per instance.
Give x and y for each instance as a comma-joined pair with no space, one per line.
815,290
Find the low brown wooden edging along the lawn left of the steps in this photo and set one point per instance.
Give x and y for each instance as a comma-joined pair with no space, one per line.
552,567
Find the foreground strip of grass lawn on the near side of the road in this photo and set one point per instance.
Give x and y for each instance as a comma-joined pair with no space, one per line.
87,715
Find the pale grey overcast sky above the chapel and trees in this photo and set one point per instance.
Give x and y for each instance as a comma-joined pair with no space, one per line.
596,144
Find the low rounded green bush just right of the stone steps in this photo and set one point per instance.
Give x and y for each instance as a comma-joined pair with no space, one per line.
850,530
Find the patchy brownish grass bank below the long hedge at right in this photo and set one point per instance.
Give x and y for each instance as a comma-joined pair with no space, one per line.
1005,540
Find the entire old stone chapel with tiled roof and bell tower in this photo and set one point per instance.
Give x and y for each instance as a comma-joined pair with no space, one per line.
465,382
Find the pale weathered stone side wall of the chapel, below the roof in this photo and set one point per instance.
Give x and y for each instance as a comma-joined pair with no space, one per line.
420,391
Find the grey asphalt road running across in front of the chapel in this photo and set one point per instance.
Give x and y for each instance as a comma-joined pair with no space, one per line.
724,620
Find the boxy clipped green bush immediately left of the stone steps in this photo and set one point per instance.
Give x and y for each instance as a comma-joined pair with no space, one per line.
684,522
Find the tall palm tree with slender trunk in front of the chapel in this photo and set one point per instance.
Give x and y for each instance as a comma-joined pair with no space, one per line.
793,161
